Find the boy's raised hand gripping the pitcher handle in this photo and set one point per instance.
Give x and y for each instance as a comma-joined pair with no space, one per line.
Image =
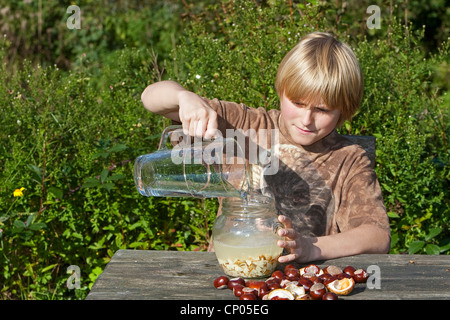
197,117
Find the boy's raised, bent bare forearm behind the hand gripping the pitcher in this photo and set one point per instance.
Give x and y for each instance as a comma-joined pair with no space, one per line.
163,98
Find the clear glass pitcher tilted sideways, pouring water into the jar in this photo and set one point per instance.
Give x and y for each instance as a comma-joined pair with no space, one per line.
189,167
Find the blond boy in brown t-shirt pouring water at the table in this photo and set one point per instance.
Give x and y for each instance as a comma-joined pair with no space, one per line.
326,192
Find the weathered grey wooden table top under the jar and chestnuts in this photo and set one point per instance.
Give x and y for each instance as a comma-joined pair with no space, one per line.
175,275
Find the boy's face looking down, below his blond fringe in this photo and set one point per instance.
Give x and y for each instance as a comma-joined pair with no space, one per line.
308,121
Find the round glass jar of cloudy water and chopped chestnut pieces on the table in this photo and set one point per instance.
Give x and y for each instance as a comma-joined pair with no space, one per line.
245,237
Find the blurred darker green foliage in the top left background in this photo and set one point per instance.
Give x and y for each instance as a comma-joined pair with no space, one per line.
38,30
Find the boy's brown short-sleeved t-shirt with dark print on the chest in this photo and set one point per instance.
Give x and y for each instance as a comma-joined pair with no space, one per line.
325,188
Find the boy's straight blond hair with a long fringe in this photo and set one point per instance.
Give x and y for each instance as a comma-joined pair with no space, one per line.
320,66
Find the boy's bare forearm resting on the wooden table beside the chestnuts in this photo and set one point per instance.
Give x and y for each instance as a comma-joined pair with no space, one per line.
362,239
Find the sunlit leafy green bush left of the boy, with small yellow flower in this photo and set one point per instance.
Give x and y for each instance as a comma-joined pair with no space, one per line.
70,140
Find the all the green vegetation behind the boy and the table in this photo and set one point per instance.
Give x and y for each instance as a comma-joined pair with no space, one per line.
72,122
